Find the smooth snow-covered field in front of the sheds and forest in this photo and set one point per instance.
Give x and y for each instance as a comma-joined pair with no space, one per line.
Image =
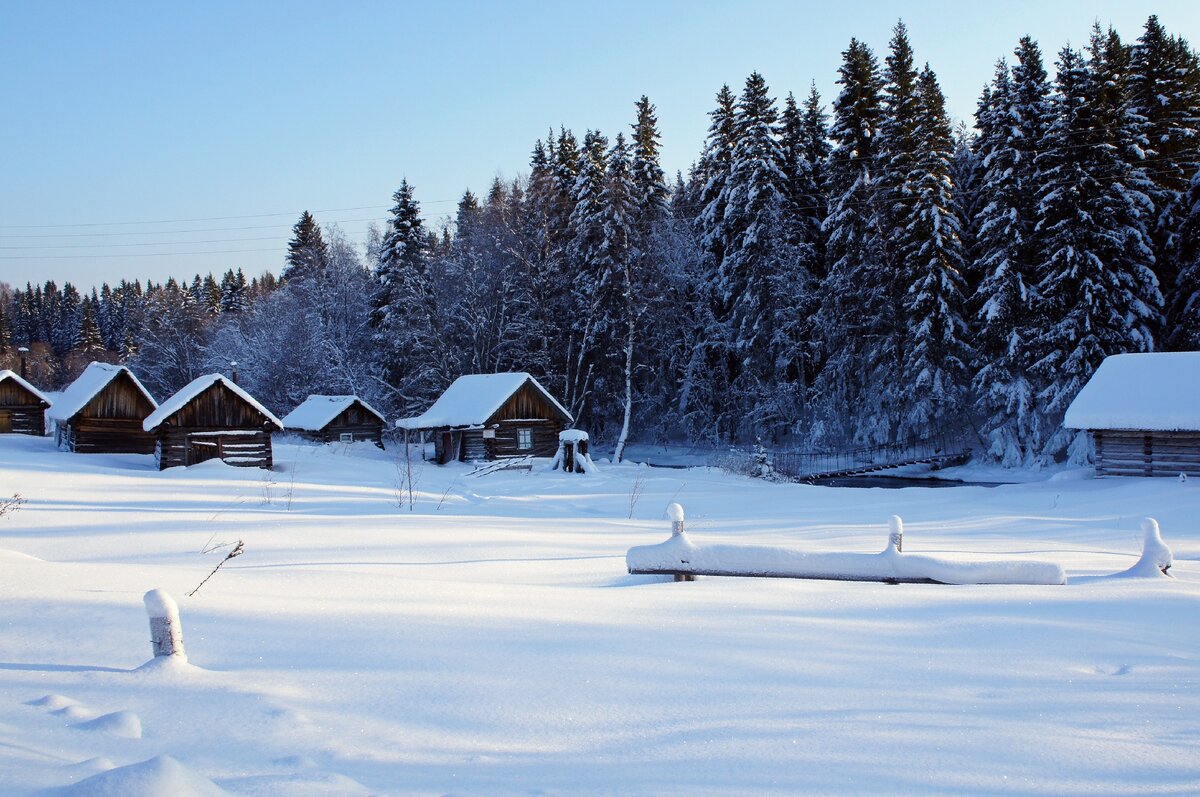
491,643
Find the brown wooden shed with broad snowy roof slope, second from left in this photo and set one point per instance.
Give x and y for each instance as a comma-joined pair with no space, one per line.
103,414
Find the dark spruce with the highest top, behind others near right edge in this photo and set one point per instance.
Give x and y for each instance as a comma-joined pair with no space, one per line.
1165,93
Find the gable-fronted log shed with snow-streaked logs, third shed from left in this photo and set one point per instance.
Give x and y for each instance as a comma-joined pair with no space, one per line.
213,418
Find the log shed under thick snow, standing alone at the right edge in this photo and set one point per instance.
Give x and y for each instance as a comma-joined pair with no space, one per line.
1144,415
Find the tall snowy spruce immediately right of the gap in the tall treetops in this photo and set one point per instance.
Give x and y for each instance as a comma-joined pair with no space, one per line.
1015,121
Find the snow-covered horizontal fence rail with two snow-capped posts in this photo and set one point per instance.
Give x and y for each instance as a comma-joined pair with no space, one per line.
685,560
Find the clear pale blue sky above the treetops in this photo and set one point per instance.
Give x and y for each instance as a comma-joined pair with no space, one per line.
225,121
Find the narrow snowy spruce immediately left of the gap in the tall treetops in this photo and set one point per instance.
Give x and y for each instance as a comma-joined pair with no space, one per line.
934,393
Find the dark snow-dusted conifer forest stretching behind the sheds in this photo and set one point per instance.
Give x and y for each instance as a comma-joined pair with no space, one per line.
826,274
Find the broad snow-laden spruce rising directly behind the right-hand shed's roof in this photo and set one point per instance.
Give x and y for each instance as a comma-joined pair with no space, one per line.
1097,291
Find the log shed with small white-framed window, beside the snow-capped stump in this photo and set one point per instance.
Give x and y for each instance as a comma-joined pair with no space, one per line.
490,417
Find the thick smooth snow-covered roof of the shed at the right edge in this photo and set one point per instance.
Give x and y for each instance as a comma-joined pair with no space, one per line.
1156,392
